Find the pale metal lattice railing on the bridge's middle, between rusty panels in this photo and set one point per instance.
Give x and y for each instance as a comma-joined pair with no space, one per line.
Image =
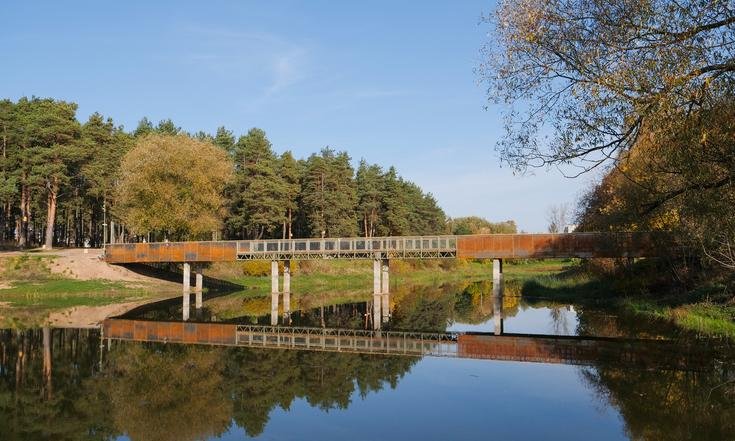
356,247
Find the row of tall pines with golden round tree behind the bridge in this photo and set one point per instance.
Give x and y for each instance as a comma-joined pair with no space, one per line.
71,183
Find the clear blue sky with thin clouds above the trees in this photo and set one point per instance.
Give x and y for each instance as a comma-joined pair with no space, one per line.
391,82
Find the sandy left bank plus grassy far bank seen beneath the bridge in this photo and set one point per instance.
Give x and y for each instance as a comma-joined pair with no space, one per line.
77,288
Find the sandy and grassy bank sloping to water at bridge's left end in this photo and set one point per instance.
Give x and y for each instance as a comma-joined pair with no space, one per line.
69,287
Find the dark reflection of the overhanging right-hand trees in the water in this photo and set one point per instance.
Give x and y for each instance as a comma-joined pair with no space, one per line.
662,405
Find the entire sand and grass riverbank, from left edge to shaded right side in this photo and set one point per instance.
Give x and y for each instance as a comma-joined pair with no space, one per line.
69,286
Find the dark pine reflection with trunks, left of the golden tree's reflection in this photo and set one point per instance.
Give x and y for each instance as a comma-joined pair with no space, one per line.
56,406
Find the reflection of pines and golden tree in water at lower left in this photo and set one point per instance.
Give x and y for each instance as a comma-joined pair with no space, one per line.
169,392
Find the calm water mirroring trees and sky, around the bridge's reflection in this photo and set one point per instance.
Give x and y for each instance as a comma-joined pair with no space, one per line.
64,384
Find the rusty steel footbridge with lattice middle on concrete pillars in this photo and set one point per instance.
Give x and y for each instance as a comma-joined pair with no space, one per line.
380,250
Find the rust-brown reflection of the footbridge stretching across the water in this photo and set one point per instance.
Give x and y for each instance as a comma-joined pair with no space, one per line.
629,353
